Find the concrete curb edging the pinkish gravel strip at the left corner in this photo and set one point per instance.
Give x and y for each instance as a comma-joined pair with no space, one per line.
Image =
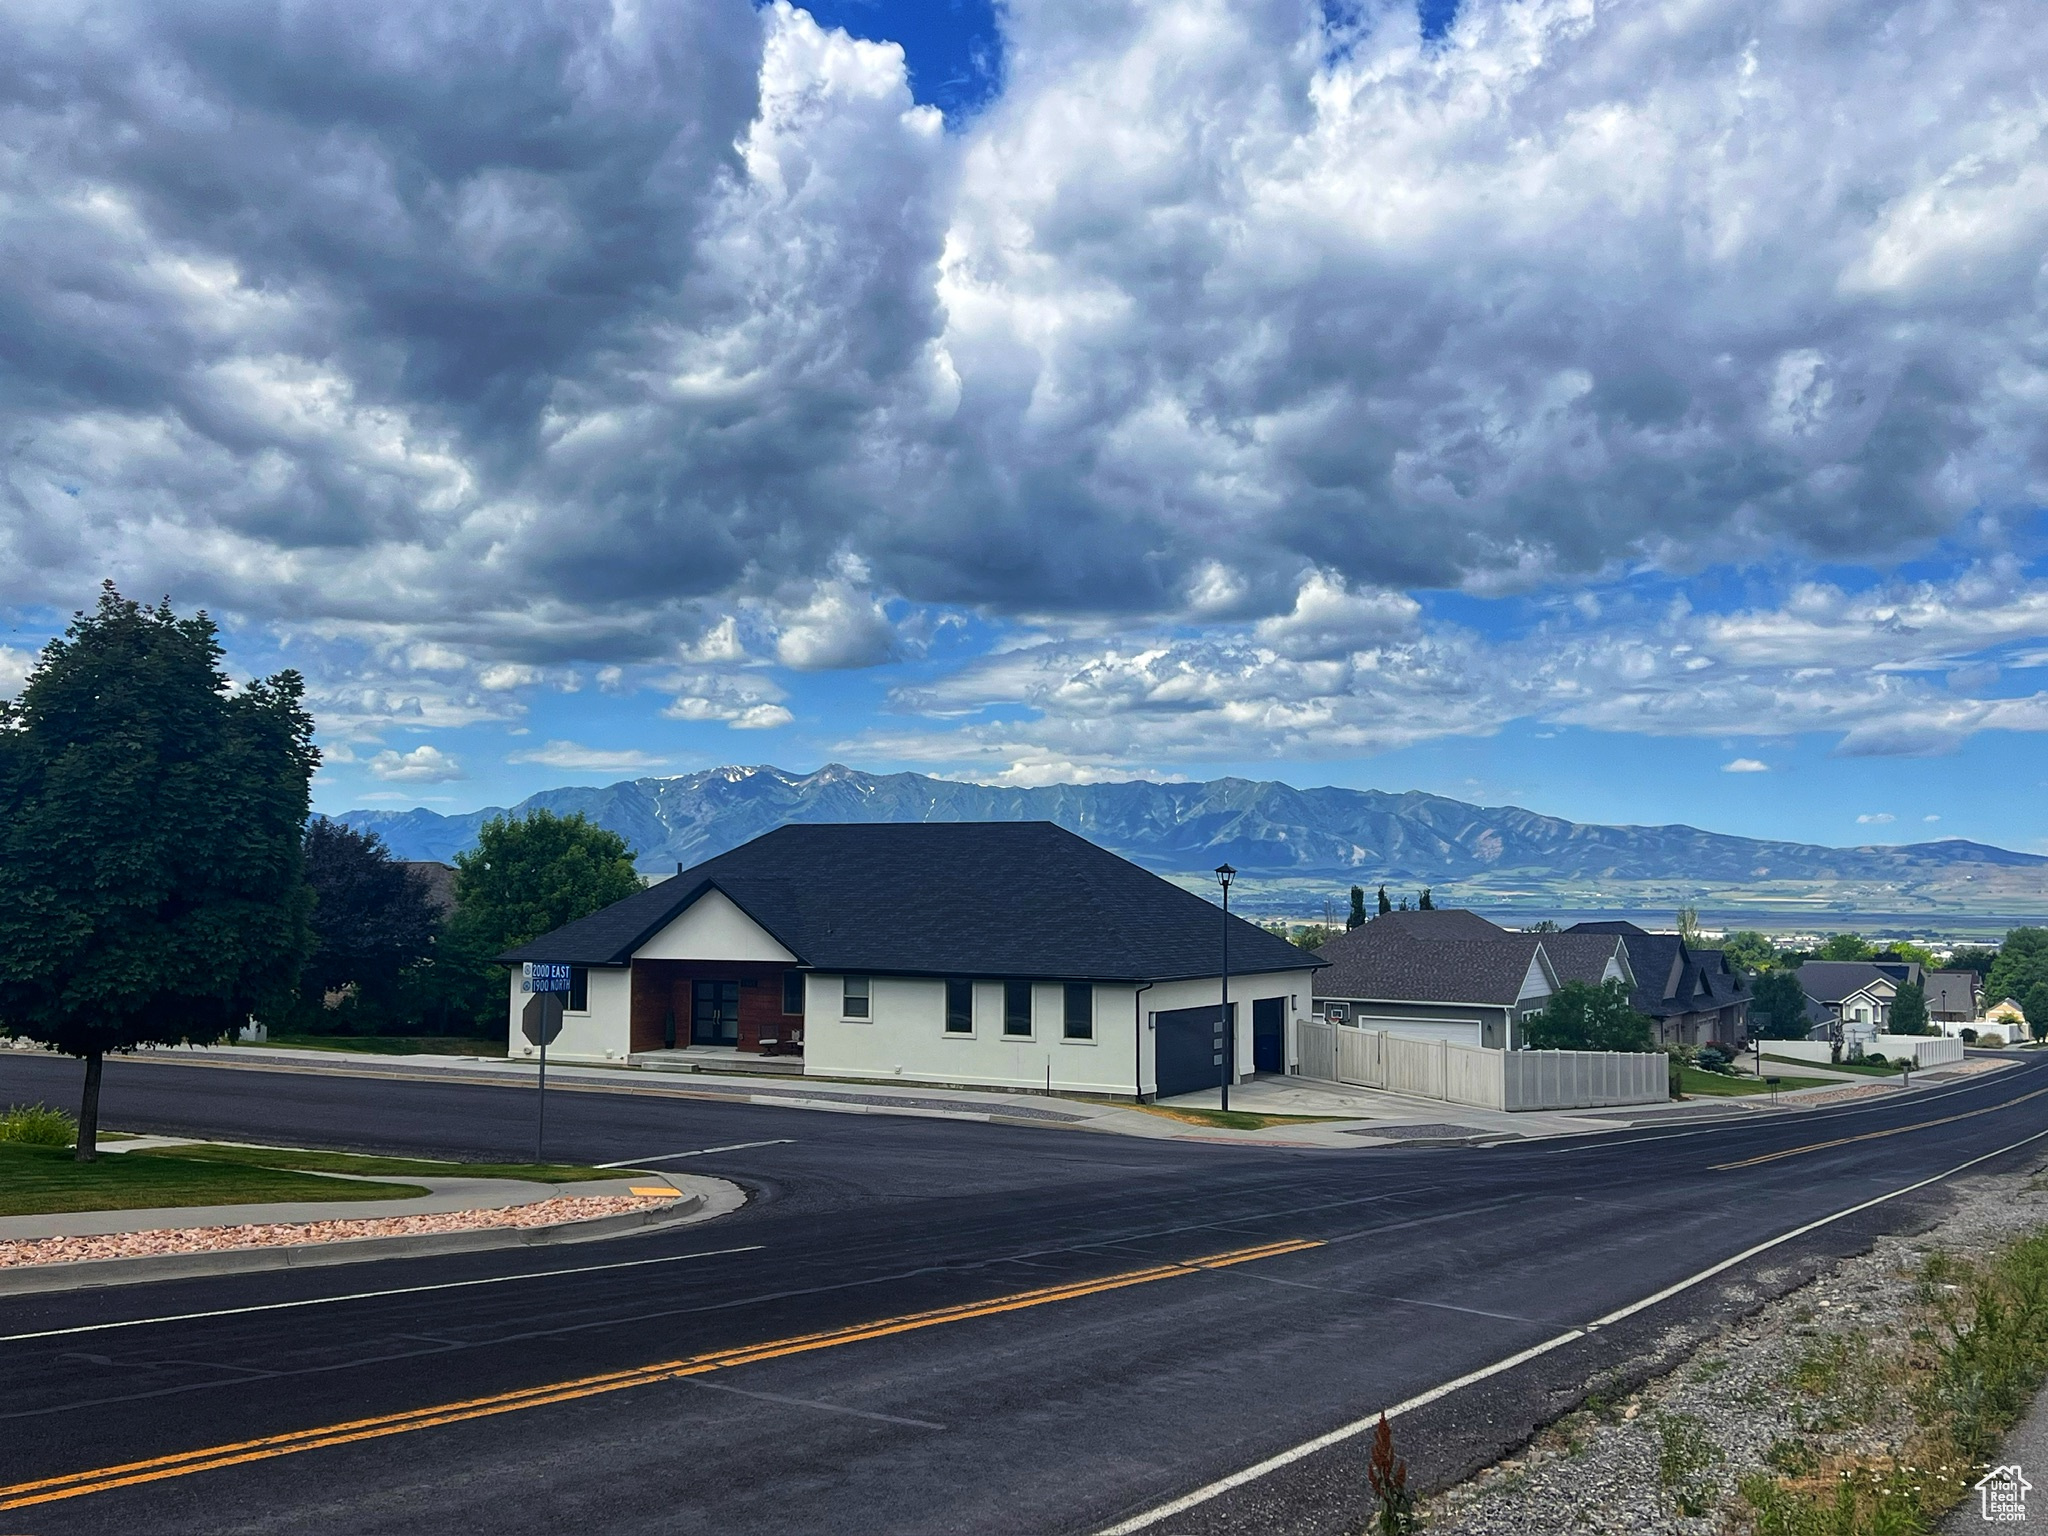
87,1275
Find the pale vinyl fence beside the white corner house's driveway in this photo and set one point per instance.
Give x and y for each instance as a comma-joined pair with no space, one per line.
1469,1074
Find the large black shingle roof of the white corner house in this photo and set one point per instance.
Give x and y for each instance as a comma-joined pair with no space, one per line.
966,898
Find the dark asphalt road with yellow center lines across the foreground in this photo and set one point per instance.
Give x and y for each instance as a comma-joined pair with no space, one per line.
919,1326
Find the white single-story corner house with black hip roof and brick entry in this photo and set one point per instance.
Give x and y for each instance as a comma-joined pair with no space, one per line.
986,953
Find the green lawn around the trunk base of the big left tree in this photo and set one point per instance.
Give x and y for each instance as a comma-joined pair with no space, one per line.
38,1181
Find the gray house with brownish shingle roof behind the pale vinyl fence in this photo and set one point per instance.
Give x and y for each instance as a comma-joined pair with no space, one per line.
1447,976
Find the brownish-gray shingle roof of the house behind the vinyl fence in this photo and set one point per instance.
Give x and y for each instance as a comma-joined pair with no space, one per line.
1457,957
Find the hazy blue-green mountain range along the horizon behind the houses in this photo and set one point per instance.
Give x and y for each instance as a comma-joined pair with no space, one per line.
1293,845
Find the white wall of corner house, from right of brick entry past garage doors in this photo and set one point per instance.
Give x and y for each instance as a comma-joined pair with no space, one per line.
904,1037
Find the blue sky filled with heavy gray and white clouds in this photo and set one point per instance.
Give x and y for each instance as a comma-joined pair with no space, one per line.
1627,409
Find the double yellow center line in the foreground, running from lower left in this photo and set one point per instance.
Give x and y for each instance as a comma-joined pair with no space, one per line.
101,1480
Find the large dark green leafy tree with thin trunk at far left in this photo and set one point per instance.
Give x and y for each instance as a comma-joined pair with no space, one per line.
151,841
